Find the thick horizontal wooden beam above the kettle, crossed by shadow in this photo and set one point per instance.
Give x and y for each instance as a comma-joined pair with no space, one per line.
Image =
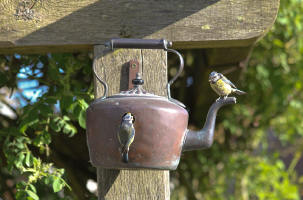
31,26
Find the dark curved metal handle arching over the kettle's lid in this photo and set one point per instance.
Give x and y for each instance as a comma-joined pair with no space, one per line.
142,44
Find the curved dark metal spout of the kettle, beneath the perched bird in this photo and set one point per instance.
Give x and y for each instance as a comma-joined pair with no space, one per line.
203,138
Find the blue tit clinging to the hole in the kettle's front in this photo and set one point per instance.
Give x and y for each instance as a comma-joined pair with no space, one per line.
126,134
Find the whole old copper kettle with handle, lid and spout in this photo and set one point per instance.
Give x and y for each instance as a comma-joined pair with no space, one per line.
160,124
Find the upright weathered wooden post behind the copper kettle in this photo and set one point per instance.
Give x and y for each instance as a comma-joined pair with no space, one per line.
112,67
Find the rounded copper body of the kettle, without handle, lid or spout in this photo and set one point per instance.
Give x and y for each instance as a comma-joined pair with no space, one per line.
160,132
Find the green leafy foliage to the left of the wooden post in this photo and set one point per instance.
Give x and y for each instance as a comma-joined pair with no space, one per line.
58,111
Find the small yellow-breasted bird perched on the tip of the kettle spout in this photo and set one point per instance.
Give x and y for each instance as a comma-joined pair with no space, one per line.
222,86
